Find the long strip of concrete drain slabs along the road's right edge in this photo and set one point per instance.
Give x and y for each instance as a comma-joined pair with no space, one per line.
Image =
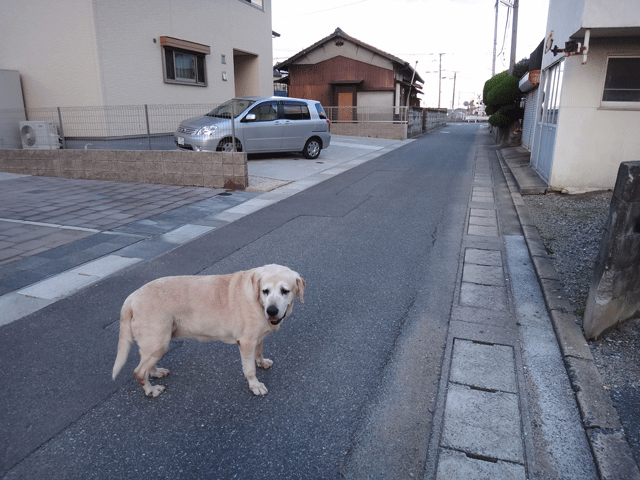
503,409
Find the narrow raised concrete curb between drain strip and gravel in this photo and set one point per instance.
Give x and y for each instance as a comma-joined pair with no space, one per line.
600,419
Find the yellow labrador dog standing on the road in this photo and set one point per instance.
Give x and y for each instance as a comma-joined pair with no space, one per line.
242,307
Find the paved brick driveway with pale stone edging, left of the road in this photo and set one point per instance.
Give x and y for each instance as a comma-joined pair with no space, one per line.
59,235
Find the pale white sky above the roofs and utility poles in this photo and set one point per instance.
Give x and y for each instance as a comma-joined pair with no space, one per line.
419,30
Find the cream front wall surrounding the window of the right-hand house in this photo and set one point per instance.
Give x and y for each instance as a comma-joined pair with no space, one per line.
591,141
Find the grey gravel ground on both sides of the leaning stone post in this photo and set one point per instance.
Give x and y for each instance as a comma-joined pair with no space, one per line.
571,228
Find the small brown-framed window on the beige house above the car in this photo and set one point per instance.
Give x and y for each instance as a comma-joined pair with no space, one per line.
184,62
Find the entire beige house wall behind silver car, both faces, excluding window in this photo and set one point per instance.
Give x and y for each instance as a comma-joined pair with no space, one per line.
108,52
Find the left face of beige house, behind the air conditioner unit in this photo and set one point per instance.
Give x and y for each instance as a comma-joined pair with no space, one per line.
53,46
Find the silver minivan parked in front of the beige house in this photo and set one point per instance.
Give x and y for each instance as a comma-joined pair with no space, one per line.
274,124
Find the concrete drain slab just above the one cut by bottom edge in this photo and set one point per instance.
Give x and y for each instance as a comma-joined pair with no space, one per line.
483,423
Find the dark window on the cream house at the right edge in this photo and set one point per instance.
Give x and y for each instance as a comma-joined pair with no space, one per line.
622,83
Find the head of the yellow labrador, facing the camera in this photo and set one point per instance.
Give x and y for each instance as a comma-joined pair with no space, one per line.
276,288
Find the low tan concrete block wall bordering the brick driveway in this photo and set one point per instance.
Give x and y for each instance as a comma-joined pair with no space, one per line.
170,167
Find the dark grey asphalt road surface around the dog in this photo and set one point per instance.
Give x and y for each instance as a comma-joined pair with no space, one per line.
356,366
